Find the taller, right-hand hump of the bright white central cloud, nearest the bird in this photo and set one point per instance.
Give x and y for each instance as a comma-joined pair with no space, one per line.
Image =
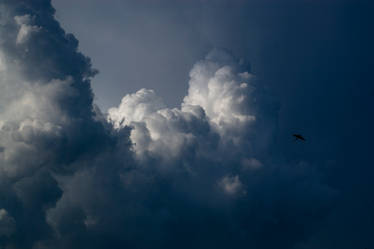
222,90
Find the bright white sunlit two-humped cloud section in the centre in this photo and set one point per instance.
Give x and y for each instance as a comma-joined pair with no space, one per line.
214,116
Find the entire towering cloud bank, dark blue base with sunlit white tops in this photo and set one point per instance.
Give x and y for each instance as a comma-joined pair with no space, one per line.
144,176
